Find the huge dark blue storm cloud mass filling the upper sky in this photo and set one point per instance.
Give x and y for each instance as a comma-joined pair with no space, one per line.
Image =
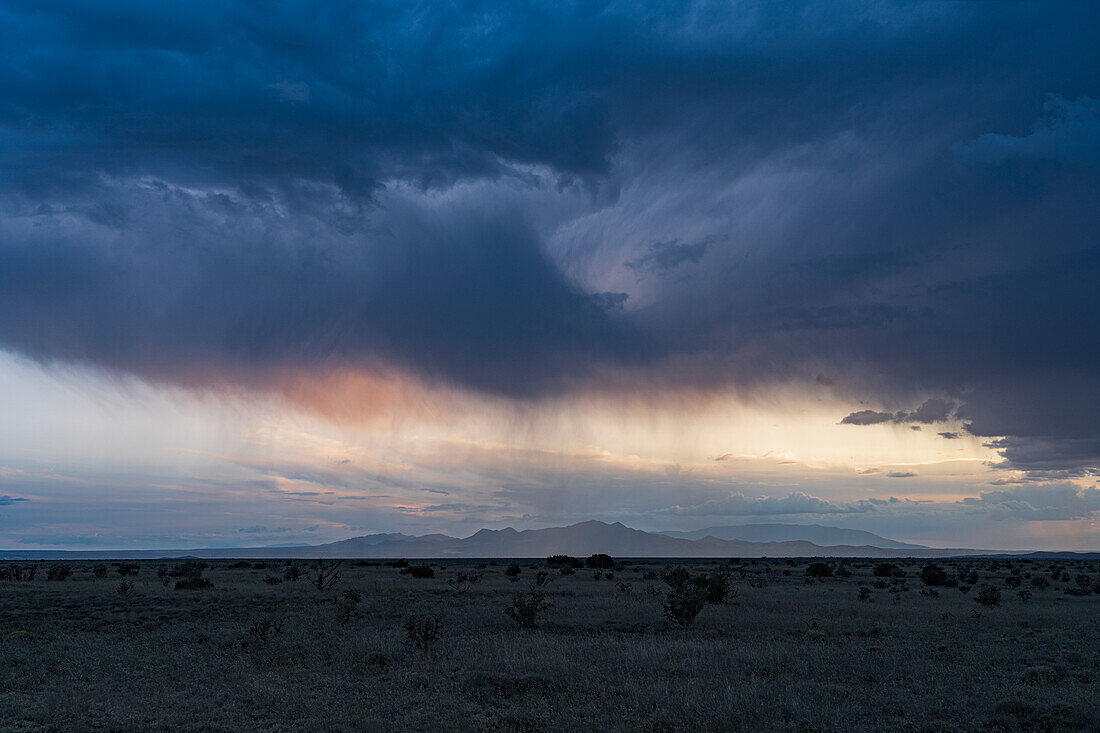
899,196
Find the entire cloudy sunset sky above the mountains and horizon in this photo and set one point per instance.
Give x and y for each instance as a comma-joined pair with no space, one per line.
283,273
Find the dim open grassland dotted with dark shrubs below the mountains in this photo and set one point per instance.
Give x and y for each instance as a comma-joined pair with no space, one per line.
785,651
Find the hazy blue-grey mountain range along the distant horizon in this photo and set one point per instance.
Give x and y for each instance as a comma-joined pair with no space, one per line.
578,540
